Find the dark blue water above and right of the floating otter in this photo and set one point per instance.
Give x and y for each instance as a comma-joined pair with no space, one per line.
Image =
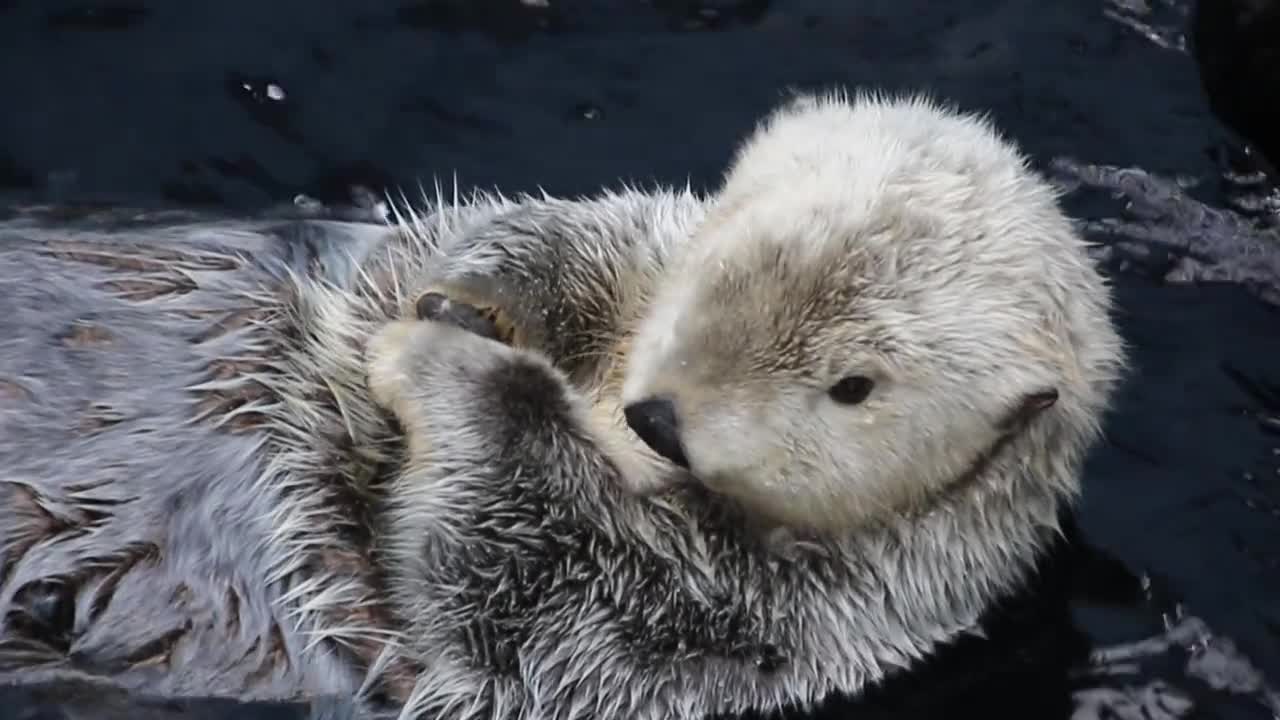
240,104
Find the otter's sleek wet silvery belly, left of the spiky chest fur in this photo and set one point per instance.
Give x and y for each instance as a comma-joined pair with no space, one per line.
138,531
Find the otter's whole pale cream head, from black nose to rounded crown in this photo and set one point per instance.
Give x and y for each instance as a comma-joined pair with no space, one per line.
883,303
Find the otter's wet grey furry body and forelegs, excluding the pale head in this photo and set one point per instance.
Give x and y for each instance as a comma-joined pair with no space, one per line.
203,498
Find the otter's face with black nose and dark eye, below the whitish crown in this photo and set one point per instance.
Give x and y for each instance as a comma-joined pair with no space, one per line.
817,391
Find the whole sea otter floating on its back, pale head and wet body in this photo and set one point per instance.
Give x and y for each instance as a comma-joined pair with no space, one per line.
232,468
